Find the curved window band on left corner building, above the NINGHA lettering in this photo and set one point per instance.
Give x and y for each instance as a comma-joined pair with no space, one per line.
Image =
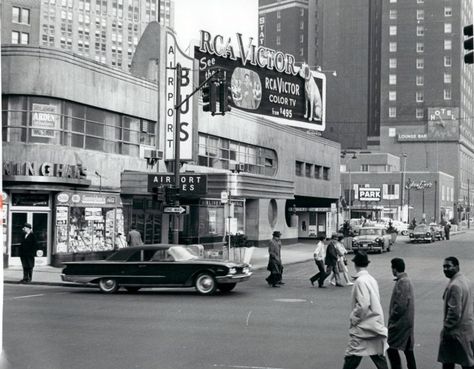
34,119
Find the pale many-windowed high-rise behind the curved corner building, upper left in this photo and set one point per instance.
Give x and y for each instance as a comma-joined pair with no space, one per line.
106,31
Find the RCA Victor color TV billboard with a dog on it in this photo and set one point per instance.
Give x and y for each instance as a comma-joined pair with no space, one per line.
264,81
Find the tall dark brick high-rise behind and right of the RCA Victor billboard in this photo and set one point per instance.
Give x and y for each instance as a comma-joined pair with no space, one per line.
401,84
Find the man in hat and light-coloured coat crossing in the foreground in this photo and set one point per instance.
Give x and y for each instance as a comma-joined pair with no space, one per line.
367,332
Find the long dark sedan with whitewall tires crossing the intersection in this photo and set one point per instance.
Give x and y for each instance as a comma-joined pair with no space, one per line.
157,266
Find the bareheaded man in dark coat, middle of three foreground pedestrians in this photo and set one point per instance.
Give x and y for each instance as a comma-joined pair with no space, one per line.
401,318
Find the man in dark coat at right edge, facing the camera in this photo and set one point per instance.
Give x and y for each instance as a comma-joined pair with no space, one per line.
457,336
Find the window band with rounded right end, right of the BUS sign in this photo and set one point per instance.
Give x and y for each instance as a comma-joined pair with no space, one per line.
222,153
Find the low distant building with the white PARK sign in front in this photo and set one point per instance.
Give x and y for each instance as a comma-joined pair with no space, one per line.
399,194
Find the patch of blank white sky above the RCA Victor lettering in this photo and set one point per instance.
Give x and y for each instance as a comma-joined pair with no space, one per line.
224,17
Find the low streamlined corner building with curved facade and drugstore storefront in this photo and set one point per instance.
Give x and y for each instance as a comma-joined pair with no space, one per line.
76,138
